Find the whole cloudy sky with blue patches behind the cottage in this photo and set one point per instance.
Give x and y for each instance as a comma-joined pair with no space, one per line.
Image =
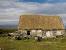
10,10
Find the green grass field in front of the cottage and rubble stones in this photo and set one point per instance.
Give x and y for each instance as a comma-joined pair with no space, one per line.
31,44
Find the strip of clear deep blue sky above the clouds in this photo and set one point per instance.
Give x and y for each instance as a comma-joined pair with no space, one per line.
43,1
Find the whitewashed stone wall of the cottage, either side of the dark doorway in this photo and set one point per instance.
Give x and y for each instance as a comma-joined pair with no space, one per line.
44,34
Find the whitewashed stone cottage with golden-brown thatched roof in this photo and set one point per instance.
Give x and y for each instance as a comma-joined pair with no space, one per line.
43,26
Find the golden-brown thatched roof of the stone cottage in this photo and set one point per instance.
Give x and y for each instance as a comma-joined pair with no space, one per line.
40,22
